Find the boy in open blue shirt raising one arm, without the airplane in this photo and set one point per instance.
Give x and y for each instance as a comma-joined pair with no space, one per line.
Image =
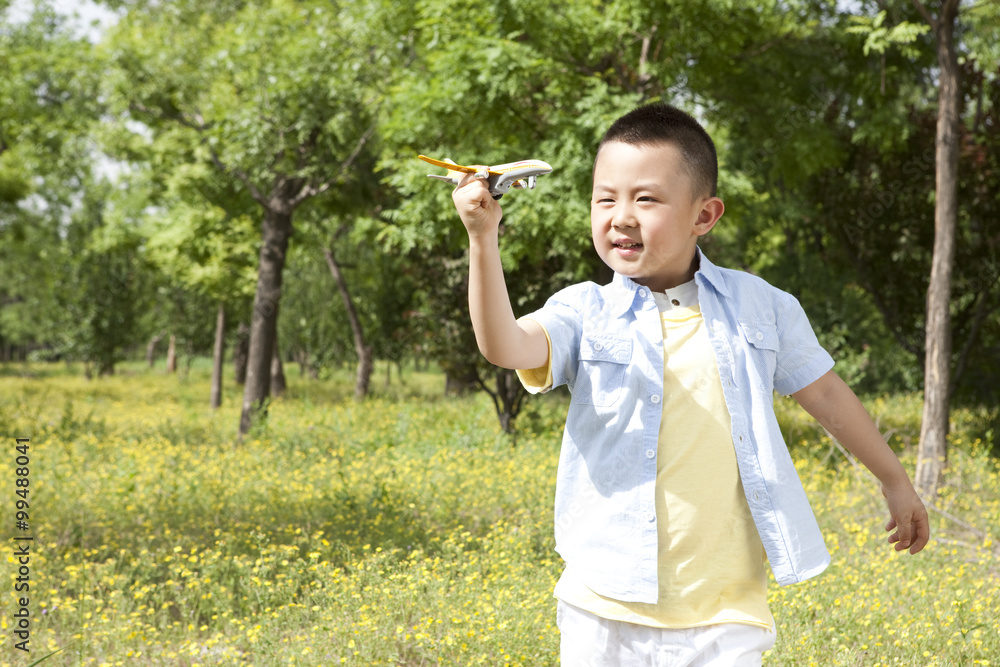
674,482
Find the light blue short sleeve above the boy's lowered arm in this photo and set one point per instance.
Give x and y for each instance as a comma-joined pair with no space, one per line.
801,360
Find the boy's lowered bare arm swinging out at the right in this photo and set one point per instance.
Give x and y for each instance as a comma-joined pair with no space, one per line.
838,409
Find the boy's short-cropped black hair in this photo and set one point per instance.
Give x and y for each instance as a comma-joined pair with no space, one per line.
663,123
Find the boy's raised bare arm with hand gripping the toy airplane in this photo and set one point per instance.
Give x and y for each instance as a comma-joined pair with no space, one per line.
503,340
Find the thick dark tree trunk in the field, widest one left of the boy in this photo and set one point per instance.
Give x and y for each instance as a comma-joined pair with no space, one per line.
275,230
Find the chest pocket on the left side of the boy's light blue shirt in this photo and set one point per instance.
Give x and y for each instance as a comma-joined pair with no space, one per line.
603,362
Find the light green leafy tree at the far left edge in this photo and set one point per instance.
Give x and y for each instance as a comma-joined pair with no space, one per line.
47,156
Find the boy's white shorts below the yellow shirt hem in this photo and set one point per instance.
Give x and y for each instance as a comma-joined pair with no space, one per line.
591,641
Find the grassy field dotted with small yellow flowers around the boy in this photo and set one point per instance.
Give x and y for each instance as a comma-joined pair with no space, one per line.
404,531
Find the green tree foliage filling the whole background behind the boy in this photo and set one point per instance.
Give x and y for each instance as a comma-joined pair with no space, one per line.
129,163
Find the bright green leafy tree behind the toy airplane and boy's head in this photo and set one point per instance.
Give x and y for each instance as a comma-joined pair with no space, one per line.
547,83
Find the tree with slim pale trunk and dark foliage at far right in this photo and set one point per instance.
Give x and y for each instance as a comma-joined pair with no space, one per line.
867,181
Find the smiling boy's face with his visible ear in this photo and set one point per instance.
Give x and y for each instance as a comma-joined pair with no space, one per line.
644,219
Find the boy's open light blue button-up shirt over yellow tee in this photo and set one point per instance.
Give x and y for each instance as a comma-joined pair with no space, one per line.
607,346
